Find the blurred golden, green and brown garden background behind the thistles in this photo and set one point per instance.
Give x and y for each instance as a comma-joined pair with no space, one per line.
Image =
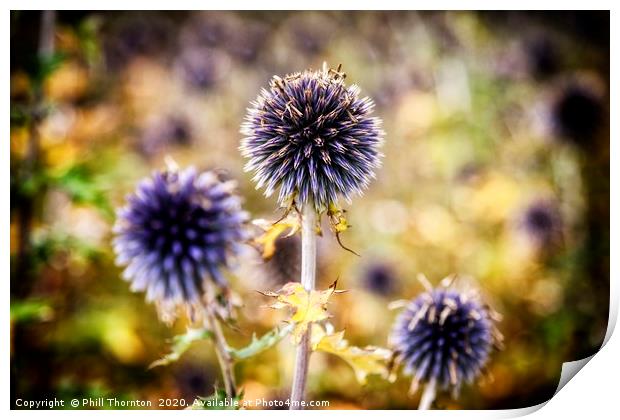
496,168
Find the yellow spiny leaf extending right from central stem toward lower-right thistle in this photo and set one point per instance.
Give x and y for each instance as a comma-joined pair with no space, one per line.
369,360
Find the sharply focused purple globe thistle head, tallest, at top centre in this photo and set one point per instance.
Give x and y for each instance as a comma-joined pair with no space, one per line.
312,137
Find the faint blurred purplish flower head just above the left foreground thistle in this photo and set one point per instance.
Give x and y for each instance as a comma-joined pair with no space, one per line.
171,130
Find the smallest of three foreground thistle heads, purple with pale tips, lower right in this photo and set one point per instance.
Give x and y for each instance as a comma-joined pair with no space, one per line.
445,336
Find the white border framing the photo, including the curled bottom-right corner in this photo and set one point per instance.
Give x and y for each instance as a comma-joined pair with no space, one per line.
594,393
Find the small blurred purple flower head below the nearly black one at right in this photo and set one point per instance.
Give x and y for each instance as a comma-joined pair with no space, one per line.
542,222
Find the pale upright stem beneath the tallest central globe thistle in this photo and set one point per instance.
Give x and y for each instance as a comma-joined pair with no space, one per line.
308,276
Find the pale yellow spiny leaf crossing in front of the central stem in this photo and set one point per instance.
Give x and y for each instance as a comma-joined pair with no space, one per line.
307,307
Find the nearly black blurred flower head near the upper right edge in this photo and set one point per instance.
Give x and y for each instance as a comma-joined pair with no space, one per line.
577,113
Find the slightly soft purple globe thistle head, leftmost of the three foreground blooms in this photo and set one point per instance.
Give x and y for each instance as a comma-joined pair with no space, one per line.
174,236
